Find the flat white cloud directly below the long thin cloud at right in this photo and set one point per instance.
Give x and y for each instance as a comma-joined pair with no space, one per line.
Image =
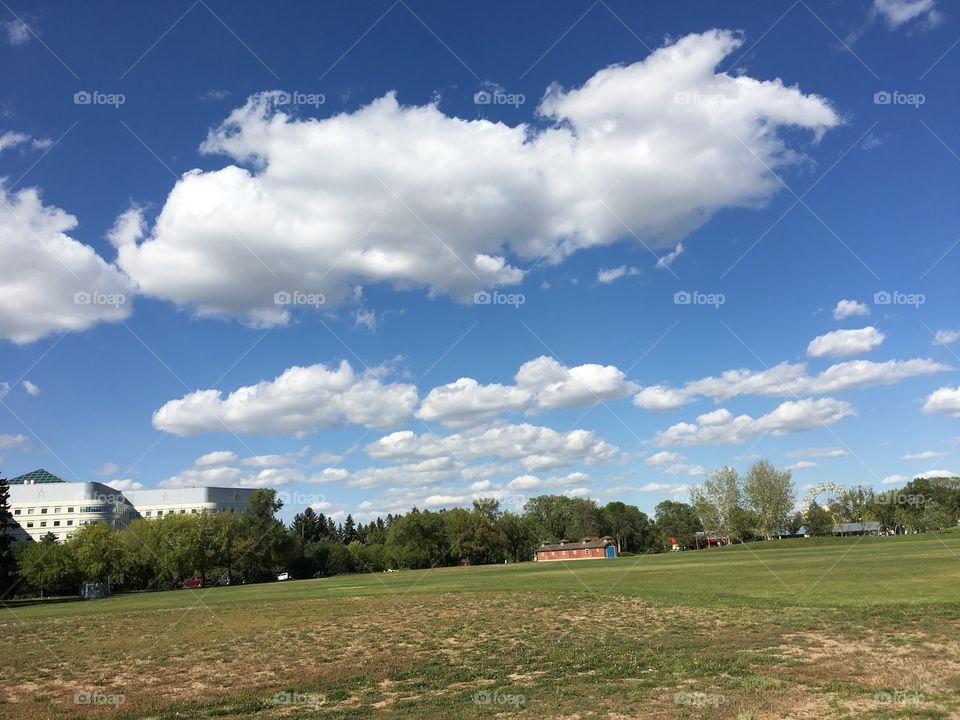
721,427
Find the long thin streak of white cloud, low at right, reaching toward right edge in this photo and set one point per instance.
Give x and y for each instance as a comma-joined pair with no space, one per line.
787,379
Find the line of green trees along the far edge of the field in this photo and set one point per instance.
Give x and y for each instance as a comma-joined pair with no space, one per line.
255,546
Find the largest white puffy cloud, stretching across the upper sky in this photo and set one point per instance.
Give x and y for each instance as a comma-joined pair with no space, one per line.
411,197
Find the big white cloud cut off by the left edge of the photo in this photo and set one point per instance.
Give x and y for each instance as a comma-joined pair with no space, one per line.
51,282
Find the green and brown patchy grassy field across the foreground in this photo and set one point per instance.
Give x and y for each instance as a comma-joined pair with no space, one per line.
854,627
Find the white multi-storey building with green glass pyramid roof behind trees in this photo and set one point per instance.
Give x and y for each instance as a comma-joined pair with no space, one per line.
42,503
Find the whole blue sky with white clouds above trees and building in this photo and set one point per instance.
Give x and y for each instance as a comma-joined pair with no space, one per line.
246,245
